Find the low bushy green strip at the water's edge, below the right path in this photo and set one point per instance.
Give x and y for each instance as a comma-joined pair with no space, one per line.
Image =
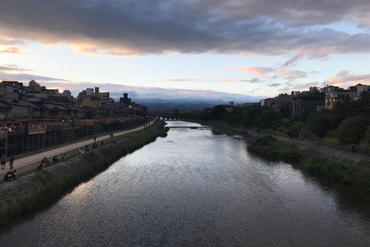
270,148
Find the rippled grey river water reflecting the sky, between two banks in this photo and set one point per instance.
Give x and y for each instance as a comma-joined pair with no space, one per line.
197,188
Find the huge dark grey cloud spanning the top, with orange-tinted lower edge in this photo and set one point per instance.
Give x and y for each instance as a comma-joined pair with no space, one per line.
126,27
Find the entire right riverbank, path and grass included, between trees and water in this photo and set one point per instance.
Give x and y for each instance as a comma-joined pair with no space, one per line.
344,166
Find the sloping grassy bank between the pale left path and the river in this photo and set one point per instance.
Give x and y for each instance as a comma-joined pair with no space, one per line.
28,192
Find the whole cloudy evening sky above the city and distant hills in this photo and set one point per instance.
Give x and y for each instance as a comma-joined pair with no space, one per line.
193,50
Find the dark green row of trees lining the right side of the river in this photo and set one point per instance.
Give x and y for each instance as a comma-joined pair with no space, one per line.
348,121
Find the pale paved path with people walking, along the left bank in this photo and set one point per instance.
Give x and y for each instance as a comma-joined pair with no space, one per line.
36,158
